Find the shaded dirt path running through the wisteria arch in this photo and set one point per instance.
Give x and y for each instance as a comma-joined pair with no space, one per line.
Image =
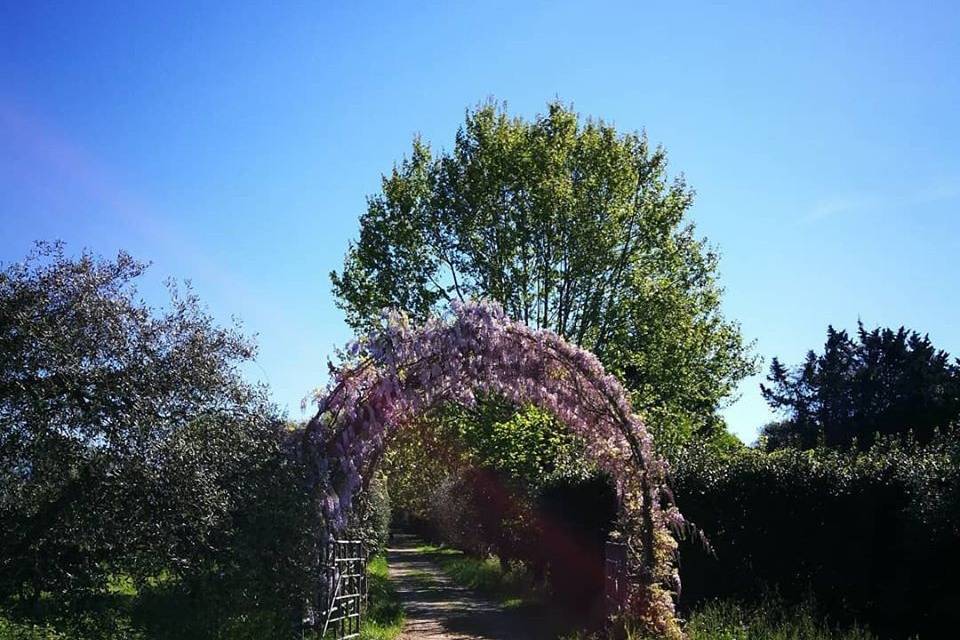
439,609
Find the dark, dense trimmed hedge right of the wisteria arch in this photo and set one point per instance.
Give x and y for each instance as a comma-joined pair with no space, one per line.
872,535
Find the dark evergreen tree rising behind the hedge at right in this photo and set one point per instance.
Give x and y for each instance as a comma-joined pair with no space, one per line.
885,382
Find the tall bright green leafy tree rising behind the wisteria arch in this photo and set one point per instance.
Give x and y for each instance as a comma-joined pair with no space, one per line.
571,226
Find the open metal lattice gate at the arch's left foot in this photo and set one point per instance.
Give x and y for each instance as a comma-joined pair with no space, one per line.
344,576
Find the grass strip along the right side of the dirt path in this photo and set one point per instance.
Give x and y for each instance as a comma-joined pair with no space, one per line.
512,588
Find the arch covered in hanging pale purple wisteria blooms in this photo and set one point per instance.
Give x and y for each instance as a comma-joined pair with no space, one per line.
393,375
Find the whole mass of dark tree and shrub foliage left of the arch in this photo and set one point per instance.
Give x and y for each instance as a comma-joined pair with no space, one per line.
130,446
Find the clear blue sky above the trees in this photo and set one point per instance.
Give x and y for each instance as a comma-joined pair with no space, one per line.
235,145
